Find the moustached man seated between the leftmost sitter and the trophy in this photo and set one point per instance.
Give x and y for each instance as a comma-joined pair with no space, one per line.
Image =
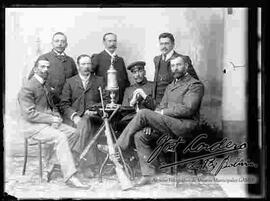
80,93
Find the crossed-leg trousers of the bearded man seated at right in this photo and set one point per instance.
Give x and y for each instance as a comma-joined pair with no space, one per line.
144,143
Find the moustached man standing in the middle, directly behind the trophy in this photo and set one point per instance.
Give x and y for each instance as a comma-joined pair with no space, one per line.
102,62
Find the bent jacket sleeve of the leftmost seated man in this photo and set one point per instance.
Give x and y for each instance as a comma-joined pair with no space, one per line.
26,100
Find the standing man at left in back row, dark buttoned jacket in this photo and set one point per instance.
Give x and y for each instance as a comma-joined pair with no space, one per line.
62,66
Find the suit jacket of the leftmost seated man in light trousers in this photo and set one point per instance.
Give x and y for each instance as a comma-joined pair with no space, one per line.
35,109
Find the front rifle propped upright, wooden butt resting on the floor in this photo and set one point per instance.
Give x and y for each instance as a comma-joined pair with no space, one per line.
122,177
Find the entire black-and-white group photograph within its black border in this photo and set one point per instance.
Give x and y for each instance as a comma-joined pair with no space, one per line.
129,102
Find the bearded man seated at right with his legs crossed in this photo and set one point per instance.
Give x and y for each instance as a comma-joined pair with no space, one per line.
177,115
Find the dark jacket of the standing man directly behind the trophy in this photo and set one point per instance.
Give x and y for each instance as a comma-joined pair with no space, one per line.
102,62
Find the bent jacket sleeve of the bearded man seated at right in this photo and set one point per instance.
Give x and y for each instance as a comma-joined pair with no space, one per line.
190,104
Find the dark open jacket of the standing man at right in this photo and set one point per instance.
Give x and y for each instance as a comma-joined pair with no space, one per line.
157,60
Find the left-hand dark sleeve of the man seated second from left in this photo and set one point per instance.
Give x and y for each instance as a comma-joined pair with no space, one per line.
66,101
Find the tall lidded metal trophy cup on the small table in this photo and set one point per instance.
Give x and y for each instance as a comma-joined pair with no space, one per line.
112,85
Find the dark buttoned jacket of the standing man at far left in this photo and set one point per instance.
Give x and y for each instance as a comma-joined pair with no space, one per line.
61,68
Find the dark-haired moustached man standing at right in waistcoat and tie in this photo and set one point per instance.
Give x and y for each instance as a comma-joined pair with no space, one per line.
163,73
